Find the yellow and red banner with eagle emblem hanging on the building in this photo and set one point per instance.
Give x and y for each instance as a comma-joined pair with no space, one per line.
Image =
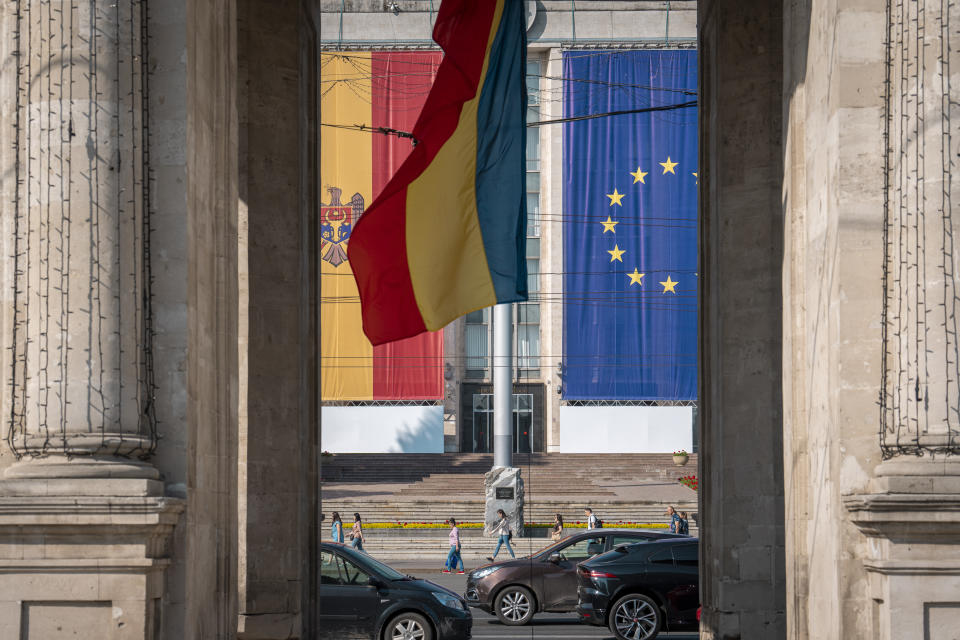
379,89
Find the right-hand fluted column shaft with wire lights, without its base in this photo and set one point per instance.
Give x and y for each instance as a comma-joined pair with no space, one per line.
921,393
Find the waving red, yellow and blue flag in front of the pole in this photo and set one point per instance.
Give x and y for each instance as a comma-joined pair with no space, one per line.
447,235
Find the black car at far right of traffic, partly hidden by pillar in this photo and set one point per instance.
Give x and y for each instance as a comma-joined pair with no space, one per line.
640,589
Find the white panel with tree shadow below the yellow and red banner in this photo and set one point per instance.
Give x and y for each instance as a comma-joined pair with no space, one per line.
382,429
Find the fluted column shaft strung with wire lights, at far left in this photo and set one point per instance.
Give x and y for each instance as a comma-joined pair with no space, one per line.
81,377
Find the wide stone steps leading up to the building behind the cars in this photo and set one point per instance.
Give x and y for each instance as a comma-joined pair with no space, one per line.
435,487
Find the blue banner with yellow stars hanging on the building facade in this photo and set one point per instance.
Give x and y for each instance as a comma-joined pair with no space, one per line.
630,226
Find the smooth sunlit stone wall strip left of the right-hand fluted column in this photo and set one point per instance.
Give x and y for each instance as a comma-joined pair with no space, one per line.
833,197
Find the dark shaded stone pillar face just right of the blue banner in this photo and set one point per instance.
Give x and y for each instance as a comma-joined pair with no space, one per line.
741,244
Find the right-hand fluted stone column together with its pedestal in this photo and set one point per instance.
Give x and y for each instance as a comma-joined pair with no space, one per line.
909,510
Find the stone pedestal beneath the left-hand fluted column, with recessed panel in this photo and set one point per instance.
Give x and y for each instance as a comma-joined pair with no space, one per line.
83,557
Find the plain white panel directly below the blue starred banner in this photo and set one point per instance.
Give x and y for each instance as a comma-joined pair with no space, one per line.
625,429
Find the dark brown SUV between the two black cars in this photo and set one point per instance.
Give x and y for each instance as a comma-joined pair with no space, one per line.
547,580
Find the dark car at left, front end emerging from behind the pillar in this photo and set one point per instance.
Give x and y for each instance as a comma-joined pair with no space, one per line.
361,597
